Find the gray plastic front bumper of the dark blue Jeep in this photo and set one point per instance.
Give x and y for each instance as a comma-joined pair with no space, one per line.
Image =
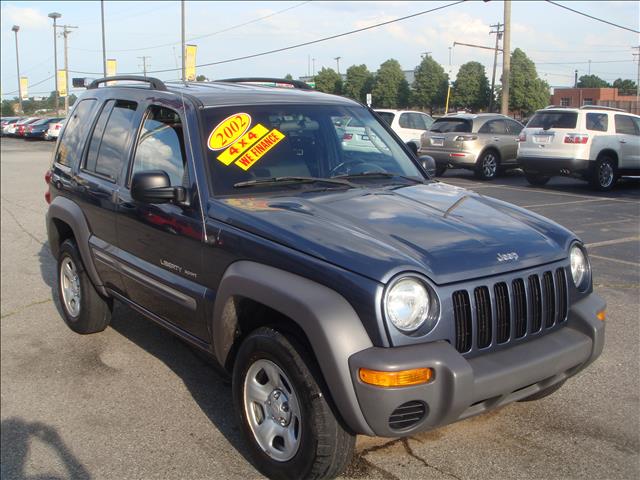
463,387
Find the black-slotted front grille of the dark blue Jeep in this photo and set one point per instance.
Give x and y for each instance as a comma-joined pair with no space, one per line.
505,311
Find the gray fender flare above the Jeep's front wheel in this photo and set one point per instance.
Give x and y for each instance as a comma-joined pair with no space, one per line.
332,327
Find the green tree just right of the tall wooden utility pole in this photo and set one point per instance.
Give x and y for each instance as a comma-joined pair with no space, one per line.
527,92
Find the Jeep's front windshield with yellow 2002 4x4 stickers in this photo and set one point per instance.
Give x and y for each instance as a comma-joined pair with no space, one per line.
296,146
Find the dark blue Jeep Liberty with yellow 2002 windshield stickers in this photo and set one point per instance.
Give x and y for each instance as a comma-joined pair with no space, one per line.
343,291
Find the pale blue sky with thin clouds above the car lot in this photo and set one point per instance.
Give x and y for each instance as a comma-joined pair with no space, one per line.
557,40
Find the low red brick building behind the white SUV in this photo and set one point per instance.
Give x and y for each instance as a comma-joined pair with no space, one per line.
608,97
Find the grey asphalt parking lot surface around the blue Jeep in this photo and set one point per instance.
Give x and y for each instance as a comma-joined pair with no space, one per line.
135,403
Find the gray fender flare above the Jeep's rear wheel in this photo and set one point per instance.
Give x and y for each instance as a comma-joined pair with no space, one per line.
70,213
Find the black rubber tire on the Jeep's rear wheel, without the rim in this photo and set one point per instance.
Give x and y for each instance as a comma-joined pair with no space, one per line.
94,312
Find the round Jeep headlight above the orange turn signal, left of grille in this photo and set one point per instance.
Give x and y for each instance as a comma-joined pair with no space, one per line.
408,304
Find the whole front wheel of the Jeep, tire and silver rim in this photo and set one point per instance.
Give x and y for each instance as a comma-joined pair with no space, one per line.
289,427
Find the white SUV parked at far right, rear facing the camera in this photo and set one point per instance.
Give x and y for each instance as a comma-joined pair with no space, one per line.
597,144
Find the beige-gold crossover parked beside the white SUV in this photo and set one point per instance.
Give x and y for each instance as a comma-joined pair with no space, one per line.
485,143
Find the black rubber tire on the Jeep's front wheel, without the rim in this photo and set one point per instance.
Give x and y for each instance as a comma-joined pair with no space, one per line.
325,448
